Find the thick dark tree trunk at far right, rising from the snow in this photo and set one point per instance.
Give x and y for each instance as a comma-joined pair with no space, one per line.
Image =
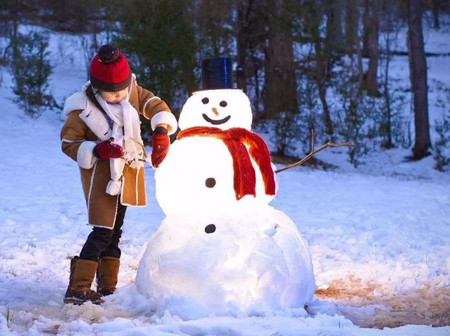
418,78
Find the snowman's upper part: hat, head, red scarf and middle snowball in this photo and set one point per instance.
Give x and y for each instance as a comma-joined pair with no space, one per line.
216,159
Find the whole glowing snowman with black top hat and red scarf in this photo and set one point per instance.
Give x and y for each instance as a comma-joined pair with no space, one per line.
222,249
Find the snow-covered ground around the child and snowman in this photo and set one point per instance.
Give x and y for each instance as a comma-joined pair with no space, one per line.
379,238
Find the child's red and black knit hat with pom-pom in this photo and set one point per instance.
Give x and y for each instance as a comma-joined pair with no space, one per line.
109,70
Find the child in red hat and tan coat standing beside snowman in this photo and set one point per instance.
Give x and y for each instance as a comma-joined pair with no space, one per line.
102,134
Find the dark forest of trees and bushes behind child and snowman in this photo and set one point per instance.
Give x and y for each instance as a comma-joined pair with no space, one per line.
305,65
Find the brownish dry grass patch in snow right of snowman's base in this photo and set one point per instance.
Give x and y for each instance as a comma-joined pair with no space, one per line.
368,305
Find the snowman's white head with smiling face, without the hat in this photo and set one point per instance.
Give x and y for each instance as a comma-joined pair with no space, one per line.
221,108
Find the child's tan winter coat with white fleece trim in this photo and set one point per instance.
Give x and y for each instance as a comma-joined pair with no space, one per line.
84,128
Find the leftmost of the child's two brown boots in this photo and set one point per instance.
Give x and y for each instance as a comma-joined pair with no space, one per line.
82,274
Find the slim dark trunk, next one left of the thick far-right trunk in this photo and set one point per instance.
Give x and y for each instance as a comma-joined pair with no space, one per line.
372,48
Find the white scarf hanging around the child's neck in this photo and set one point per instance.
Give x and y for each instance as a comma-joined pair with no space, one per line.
126,131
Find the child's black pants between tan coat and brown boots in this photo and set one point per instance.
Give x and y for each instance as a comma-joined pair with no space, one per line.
103,242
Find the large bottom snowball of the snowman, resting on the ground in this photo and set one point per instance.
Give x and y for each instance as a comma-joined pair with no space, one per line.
231,261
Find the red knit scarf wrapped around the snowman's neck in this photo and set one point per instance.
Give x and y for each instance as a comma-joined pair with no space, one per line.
241,142
